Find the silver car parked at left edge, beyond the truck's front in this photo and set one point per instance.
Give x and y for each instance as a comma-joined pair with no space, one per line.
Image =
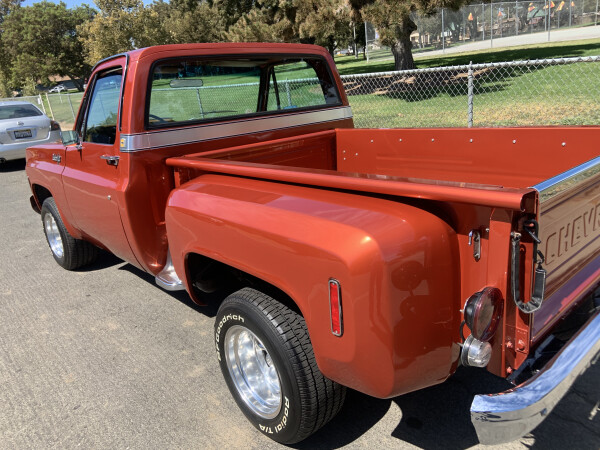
23,125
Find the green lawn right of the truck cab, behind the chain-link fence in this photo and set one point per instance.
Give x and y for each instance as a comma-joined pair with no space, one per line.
541,95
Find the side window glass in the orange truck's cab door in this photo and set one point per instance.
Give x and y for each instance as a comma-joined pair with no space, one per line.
101,119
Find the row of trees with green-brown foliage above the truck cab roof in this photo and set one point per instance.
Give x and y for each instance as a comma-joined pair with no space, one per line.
46,39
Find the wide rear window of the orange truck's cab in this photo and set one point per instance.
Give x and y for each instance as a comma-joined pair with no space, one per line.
195,90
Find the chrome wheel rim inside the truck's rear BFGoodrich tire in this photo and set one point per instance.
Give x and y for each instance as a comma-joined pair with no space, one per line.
253,372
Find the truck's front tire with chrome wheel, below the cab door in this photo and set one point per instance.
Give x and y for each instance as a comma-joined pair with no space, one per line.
68,252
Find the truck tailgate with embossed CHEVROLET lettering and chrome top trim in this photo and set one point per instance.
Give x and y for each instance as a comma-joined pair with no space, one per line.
570,232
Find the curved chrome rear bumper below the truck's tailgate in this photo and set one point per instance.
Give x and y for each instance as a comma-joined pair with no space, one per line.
509,415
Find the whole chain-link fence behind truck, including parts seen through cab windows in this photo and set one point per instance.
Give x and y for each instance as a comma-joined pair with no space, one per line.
519,93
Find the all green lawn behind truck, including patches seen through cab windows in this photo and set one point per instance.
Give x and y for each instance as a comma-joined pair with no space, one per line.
549,95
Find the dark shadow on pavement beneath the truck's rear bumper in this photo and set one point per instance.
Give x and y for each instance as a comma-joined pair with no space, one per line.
438,417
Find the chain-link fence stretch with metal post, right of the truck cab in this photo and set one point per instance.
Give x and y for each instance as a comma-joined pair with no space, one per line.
520,93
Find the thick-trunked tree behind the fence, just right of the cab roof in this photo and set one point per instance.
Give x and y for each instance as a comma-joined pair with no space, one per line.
392,18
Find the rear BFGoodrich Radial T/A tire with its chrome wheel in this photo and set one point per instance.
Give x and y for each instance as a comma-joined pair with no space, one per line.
268,363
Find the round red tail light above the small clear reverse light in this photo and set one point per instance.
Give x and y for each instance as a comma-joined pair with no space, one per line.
483,312
